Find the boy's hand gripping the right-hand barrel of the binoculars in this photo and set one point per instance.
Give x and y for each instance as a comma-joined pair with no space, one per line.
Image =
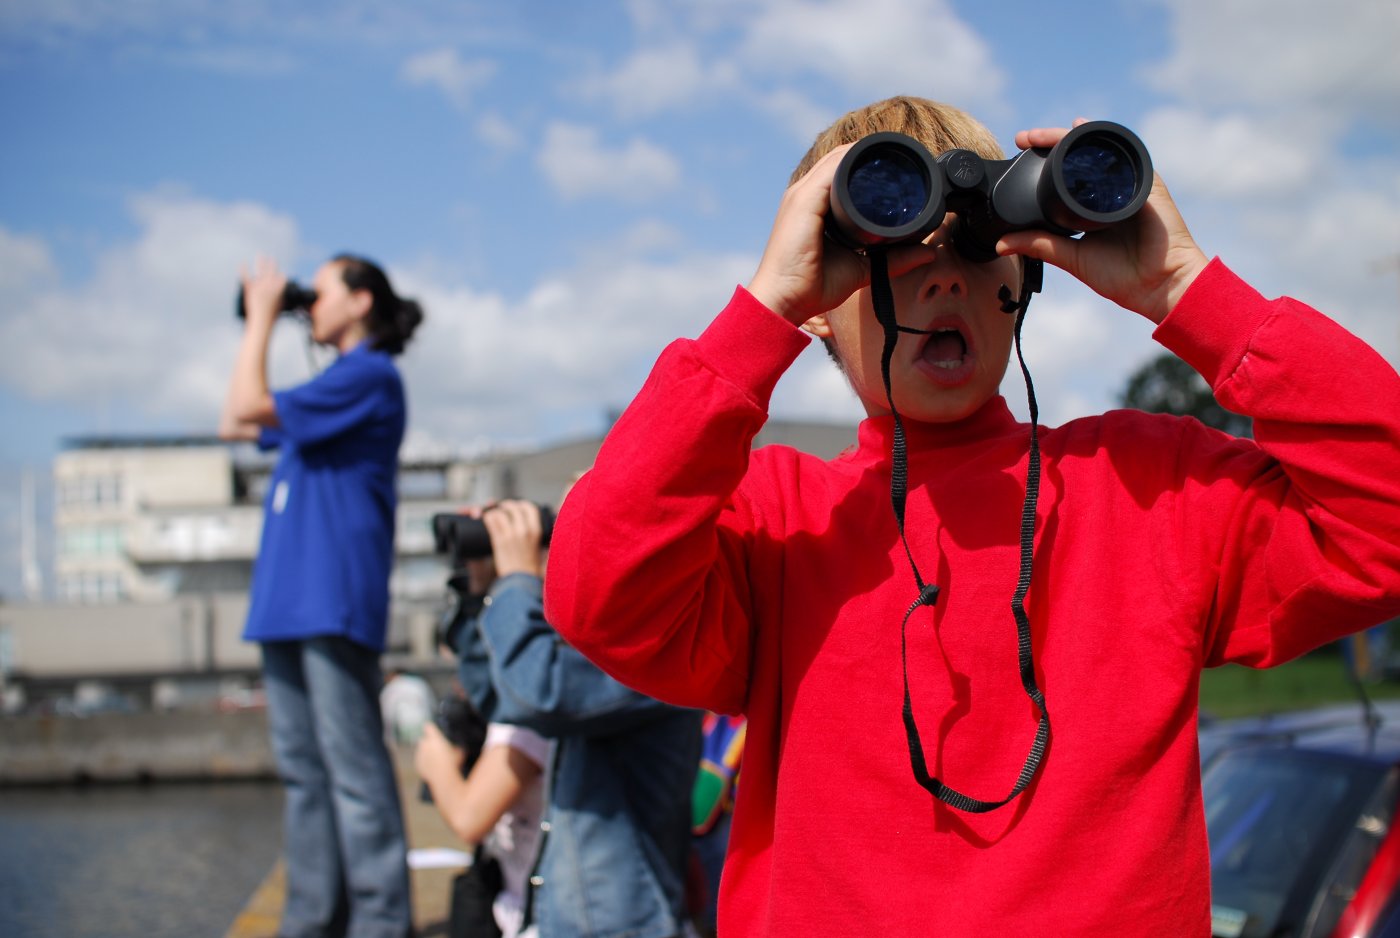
1143,265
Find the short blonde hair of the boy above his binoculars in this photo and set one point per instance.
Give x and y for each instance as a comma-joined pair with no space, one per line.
939,127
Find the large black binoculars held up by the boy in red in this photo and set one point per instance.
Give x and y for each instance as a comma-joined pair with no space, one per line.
890,190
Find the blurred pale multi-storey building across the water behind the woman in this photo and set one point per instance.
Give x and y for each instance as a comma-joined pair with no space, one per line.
153,519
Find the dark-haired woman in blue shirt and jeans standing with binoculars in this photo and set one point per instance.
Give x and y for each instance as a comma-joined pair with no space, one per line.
321,591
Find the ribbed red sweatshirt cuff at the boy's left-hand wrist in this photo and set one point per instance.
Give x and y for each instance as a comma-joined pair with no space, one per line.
751,346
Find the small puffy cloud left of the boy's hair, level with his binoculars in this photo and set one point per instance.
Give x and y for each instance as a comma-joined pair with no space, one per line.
577,164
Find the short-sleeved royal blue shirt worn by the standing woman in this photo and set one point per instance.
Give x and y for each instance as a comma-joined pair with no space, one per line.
328,521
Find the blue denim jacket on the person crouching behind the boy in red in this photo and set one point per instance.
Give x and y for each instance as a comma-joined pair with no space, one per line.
618,818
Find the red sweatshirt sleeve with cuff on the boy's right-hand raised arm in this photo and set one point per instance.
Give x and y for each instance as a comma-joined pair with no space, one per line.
1311,549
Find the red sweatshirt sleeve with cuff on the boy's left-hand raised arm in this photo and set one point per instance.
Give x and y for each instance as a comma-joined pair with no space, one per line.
647,566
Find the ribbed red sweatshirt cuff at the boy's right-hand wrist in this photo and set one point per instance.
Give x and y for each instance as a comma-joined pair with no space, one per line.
1214,323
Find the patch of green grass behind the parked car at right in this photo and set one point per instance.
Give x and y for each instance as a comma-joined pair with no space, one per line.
1308,682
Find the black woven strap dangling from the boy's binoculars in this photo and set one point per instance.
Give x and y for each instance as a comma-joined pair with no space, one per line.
884,303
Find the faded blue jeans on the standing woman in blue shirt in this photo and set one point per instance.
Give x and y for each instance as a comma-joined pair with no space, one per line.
345,849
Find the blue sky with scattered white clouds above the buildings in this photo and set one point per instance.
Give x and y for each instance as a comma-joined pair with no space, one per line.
566,187
